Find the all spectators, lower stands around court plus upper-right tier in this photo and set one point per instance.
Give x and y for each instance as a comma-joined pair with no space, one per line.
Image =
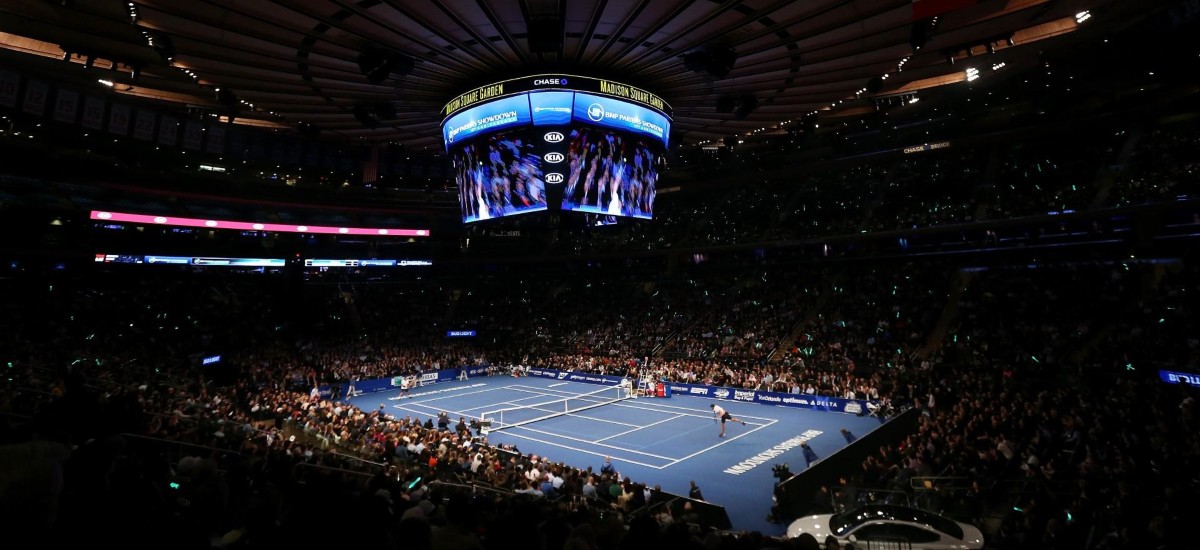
1041,416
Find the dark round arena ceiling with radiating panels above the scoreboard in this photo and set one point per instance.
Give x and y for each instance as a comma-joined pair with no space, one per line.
731,68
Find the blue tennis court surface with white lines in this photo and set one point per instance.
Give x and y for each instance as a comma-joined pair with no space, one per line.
665,443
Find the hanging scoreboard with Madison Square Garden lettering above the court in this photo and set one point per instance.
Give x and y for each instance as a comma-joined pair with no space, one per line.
583,145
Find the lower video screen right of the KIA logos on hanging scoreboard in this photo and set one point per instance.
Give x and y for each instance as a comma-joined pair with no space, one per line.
611,174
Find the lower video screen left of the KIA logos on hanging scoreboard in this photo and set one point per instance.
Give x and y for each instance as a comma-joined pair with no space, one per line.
499,176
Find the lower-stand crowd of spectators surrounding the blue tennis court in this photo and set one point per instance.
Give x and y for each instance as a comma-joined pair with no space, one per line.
1036,400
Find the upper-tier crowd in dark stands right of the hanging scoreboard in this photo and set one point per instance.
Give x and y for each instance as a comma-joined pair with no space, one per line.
977,184
